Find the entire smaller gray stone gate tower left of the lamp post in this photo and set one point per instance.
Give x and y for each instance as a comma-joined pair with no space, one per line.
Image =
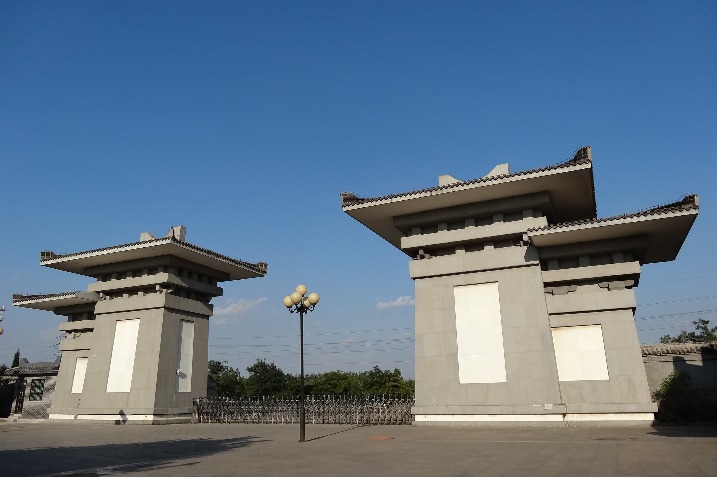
136,346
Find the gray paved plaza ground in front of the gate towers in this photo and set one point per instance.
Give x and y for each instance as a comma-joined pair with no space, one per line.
34,449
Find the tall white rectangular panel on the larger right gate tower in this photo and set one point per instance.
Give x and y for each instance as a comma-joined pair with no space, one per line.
481,356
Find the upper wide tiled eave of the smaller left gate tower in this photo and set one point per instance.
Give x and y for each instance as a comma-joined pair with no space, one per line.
81,262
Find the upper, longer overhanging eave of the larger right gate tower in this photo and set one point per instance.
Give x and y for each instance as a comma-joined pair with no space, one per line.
570,189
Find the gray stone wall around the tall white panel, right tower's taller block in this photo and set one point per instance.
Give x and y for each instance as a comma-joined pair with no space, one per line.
530,361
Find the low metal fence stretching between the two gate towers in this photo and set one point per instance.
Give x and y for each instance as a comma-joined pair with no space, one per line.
346,410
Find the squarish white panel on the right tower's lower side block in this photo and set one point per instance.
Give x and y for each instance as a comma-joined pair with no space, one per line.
580,353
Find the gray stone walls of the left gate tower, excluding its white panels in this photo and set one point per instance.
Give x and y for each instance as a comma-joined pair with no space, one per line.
152,394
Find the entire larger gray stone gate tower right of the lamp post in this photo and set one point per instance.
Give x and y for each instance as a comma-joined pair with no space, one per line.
524,298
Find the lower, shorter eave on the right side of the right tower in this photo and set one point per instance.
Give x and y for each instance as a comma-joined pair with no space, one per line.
665,231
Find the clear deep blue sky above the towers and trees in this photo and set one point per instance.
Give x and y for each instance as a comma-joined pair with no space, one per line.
244,121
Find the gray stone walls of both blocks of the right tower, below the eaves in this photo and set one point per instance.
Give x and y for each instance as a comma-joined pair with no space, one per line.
538,305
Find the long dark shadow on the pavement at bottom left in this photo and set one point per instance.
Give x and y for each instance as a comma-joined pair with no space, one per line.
108,459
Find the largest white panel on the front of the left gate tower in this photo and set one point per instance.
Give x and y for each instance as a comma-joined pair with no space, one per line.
123,352
